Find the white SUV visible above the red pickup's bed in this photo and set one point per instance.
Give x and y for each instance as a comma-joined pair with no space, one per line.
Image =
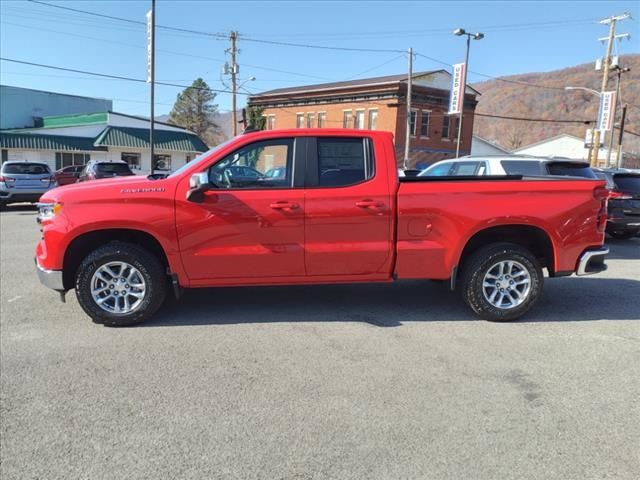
509,165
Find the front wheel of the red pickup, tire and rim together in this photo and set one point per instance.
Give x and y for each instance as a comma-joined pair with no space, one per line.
120,284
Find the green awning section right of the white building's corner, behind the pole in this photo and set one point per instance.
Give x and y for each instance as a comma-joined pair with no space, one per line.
129,137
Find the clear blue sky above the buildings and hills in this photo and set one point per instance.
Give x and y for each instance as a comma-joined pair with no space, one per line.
520,37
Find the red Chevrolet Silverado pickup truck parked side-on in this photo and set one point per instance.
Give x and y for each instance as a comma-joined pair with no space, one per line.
315,206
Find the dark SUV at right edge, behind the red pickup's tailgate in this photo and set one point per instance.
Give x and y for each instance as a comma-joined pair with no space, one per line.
624,202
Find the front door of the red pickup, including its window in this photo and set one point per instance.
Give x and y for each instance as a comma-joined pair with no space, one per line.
250,225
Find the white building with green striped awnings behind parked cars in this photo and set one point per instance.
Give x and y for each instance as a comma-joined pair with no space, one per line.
75,139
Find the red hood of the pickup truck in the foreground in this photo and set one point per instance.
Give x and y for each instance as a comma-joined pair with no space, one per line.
107,189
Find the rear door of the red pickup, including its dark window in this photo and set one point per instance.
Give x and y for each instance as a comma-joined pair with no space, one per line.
348,209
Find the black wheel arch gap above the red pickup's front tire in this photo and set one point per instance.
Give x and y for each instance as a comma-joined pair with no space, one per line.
85,243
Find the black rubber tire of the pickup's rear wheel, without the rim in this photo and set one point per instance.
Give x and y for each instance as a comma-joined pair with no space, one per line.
481,262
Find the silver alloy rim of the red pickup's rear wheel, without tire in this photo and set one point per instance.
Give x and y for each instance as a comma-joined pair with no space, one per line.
506,284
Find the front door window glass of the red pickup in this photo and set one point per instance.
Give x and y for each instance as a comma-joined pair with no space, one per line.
266,164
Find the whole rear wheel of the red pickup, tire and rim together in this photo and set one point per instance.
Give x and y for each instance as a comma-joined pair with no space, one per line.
501,282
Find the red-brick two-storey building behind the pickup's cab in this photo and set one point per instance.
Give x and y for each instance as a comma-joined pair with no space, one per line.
378,104
